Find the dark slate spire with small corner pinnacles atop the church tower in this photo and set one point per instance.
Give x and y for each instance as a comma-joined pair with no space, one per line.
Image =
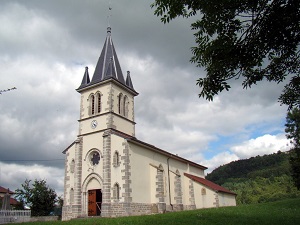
108,67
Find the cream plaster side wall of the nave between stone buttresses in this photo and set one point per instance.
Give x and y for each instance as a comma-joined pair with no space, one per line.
143,175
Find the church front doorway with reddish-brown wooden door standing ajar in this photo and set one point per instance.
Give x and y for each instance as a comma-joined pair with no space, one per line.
94,202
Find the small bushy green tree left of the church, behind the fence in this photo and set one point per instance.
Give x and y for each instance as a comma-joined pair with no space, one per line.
39,197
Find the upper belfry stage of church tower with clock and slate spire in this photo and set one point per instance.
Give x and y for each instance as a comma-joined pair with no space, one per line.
107,101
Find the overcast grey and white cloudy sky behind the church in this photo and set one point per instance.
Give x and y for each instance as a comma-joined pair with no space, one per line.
44,48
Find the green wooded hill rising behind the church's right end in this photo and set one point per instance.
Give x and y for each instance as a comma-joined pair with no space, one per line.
257,179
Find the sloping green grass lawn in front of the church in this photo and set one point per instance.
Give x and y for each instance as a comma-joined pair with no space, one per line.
283,212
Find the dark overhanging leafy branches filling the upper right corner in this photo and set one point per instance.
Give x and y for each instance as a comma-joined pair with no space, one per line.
252,40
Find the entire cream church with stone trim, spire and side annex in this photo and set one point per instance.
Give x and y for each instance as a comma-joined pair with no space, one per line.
111,173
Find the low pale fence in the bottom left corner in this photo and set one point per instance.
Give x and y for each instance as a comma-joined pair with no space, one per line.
14,216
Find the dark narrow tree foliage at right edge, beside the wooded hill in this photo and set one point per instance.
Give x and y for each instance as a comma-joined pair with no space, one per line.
293,133
